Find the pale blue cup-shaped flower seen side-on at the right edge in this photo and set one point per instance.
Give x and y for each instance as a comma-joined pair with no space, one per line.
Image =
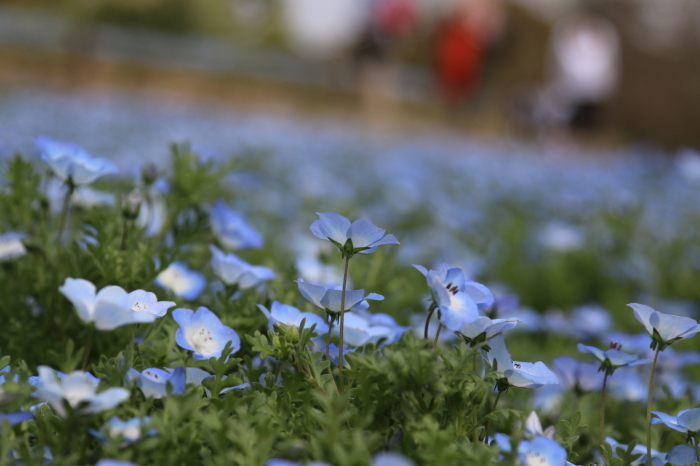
664,329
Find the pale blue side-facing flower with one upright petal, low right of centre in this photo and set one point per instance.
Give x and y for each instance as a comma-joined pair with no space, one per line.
516,373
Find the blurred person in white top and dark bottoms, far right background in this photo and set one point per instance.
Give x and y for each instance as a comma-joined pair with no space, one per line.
584,70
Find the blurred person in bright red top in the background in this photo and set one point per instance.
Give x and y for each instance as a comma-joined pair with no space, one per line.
461,44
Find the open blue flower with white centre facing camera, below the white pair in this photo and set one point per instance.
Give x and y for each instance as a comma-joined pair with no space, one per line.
203,333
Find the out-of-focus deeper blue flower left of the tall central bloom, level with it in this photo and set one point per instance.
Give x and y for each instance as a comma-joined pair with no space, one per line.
231,228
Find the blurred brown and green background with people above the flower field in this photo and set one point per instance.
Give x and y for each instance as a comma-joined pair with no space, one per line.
557,72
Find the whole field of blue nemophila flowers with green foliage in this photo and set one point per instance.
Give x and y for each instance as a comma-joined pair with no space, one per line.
174,288
